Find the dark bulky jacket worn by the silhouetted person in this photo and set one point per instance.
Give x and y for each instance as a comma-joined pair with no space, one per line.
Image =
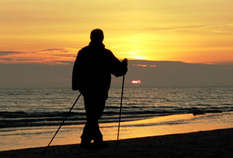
93,68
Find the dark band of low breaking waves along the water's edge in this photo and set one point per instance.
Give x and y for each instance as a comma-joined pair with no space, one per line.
24,119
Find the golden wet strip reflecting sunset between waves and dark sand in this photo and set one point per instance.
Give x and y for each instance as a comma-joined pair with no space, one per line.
20,138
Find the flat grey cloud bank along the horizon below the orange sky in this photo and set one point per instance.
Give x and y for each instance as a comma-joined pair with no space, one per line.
166,74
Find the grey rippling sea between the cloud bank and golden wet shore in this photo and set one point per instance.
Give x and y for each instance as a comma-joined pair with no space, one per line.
47,107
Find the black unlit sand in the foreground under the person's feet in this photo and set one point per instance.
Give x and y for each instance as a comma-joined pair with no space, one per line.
215,143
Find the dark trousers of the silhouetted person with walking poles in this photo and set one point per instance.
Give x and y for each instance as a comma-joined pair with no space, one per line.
94,107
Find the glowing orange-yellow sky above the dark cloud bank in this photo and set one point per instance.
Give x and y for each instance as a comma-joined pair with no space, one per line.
53,31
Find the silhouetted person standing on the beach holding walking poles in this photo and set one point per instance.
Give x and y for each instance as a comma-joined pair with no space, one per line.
92,77
